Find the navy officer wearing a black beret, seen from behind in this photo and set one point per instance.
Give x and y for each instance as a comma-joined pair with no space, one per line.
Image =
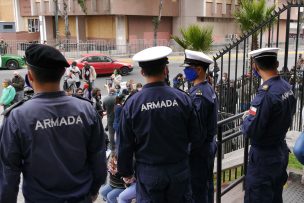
55,141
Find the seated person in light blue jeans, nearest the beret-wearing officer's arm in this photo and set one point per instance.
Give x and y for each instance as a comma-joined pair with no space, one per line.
111,191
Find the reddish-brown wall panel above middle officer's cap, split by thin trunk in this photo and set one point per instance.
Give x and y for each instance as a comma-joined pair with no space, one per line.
141,27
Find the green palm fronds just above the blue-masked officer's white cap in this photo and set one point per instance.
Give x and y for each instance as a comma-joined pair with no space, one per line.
195,38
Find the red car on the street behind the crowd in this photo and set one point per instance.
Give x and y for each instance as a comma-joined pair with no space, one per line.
103,64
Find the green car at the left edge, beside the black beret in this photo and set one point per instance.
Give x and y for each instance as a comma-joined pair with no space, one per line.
11,61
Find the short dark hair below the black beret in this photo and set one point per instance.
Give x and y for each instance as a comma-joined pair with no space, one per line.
47,76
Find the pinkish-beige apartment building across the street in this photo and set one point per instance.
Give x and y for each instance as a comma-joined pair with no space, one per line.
120,21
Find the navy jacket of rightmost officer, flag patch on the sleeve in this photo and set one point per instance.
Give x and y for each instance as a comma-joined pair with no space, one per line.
270,113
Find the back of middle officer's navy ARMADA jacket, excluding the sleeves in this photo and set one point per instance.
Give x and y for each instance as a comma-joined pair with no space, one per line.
159,114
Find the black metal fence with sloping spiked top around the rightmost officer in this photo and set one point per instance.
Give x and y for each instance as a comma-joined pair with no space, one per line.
236,87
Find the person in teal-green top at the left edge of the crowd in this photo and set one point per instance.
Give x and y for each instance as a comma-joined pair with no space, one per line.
8,94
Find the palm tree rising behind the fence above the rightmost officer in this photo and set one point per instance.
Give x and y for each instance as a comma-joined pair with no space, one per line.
251,14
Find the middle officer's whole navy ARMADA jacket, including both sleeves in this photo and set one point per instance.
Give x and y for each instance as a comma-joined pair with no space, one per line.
157,125
